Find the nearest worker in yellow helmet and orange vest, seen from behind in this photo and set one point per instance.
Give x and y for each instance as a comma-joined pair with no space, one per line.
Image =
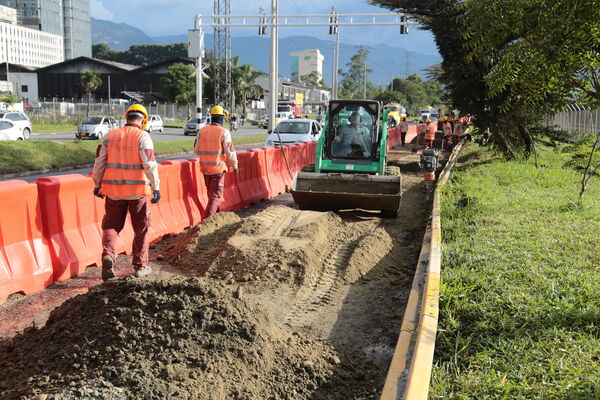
126,173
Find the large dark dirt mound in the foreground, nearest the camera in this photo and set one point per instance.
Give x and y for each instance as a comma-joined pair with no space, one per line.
174,339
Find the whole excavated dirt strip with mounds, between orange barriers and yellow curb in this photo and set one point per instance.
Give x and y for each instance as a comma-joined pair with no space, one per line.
269,303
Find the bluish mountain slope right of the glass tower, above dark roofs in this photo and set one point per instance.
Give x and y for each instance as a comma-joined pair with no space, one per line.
118,36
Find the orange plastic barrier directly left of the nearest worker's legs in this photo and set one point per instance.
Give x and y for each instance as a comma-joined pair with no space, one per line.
68,211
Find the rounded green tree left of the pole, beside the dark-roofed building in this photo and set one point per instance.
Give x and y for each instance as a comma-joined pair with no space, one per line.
179,85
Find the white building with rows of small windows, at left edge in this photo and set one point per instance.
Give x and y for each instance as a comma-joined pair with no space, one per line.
29,47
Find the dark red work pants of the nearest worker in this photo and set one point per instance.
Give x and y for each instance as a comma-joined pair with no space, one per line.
113,222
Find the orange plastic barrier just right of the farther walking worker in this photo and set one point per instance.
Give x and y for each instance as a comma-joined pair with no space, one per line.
252,181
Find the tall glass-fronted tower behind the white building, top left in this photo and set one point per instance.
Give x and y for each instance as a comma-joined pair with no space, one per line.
67,18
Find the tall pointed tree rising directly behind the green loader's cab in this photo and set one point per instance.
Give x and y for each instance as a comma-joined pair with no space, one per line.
355,79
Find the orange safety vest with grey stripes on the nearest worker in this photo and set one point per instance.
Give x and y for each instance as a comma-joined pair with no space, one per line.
124,173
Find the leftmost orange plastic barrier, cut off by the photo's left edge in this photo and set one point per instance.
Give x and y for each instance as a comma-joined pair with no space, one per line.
25,261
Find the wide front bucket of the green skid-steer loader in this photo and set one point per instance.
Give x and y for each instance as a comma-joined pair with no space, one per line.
337,191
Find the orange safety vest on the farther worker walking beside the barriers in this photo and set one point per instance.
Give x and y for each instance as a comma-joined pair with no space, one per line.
210,149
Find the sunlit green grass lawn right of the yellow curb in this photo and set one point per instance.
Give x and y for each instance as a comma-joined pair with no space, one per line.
520,294
